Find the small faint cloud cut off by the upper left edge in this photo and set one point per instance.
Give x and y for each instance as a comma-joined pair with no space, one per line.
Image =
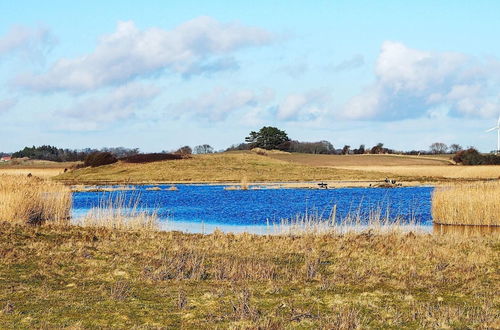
31,43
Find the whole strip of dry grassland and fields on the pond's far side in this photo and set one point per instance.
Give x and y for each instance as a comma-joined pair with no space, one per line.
282,167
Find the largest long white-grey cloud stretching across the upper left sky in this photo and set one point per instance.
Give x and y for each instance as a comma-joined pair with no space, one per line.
129,52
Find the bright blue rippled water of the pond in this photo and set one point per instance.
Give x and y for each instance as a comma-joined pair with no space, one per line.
212,205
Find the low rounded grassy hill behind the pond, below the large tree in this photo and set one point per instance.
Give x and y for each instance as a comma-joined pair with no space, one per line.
226,167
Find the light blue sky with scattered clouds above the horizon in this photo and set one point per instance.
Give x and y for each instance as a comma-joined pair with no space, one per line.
158,75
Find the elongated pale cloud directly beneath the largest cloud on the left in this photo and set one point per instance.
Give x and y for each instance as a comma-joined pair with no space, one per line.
93,113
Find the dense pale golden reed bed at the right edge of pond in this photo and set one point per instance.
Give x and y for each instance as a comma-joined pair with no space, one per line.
467,204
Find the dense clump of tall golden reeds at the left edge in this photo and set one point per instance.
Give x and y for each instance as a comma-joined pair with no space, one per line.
33,200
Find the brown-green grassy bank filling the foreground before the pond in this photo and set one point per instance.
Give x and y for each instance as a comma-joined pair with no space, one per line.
53,276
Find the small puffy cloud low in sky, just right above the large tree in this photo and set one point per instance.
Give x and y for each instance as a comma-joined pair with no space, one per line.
303,106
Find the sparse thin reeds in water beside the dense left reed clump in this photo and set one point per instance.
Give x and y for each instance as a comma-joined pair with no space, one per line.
116,211
